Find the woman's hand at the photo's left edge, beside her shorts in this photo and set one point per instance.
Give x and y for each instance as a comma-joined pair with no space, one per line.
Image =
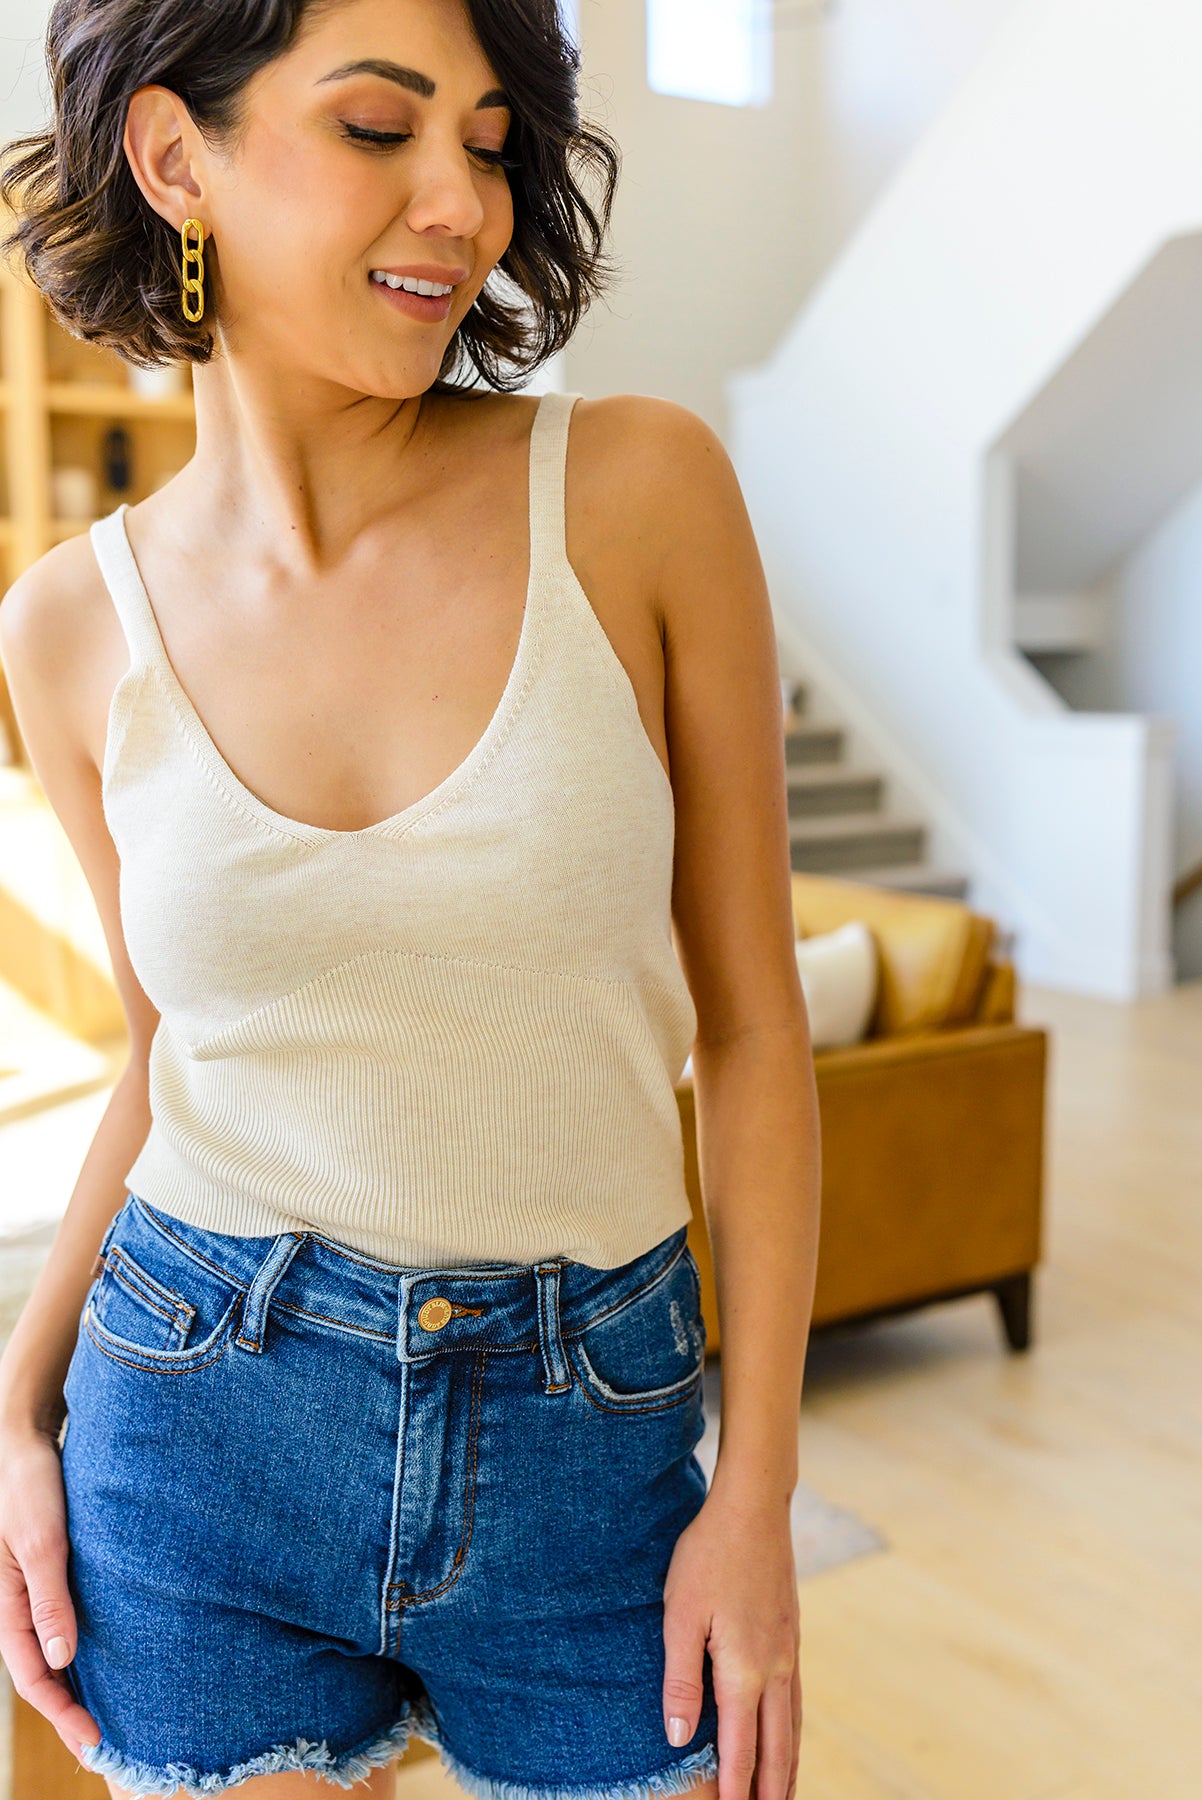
37,1614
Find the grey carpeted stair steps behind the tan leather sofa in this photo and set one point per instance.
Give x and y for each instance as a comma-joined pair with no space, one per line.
839,822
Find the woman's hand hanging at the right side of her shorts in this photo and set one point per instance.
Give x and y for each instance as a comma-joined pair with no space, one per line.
733,1588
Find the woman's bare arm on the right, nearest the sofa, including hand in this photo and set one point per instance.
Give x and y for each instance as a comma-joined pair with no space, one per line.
733,1583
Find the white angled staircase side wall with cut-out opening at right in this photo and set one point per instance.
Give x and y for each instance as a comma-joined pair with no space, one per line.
1034,202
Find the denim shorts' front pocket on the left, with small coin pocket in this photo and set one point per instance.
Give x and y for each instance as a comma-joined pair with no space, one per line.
156,1304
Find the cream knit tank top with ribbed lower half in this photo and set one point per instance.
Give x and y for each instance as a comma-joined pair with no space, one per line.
451,1036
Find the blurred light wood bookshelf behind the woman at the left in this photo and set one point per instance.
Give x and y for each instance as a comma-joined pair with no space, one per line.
58,400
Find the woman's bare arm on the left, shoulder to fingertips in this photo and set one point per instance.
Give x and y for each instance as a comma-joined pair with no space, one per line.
51,669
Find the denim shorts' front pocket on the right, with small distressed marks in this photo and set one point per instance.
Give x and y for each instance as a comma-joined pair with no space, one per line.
649,1351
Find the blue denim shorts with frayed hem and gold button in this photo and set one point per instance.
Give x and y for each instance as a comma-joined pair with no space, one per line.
319,1502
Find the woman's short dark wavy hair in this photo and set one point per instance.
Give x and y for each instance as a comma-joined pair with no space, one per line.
109,265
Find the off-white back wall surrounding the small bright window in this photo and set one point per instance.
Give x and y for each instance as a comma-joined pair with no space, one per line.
728,217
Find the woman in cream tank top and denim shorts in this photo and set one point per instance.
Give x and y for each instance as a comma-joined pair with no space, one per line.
361,1390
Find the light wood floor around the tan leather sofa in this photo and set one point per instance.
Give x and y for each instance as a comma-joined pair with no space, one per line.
1034,1628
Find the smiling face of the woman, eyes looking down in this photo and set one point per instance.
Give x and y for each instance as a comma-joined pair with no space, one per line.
352,170
